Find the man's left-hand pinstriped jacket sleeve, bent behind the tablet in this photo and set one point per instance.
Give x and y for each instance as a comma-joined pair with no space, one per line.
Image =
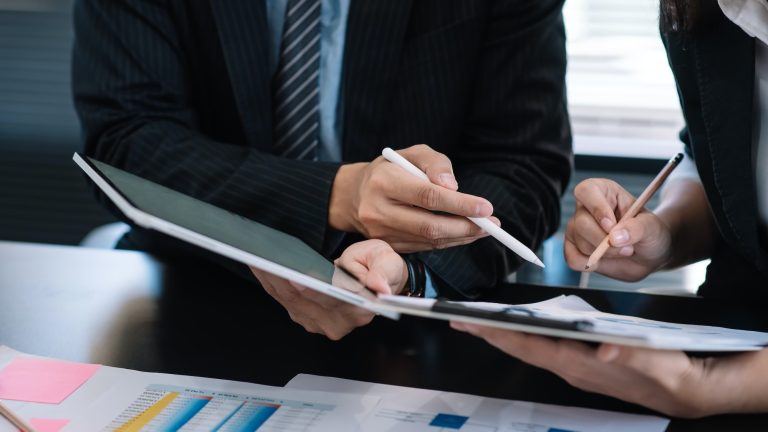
131,90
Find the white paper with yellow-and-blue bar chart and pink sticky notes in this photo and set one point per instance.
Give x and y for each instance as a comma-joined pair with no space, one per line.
83,398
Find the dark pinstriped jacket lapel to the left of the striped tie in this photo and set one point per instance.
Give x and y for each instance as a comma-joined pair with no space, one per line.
243,31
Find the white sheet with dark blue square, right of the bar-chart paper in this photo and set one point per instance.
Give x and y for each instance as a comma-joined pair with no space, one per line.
405,409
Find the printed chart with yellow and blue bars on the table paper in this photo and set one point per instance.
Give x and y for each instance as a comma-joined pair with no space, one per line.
162,408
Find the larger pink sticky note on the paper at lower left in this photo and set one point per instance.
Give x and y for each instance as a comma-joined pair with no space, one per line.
42,380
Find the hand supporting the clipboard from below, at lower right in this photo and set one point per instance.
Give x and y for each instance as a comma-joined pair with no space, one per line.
666,381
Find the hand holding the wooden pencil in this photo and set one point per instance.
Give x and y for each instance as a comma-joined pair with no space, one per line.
639,246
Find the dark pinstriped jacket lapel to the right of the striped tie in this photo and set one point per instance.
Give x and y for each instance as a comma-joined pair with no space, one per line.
374,40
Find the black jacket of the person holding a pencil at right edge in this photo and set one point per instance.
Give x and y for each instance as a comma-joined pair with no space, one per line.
714,67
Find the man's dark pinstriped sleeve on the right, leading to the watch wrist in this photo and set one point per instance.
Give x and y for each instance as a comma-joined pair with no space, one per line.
516,151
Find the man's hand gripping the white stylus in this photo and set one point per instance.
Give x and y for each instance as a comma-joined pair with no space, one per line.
382,201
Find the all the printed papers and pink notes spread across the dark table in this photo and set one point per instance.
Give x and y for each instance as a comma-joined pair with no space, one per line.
53,395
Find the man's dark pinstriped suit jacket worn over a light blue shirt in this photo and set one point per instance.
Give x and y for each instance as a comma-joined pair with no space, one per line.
178,92
